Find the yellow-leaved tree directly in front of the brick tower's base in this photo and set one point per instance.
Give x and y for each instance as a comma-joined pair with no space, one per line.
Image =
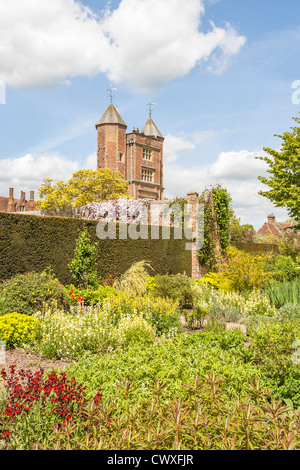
84,187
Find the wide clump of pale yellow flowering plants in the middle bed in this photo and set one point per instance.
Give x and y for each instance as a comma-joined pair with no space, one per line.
119,320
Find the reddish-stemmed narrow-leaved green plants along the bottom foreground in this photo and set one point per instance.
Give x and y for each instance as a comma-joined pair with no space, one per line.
203,419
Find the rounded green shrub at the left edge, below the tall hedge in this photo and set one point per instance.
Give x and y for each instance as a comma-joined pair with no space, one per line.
29,293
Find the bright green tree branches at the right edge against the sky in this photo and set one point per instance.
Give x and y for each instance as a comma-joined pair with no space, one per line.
284,168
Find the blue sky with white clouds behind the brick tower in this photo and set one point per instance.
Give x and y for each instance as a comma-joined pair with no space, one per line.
224,75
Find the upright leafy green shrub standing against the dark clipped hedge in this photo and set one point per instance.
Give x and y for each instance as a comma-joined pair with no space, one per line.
82,266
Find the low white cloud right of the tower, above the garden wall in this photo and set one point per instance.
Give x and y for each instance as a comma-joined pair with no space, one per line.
237,172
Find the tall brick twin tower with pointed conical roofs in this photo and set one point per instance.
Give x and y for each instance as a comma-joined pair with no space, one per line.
138,155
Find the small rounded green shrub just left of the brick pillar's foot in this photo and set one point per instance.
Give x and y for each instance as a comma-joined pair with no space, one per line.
175,287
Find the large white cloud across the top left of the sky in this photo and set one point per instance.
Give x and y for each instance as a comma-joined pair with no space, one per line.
145,43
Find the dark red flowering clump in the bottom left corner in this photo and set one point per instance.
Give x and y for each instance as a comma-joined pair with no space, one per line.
35,405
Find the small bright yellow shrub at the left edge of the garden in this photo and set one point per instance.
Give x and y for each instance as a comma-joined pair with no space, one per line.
16,329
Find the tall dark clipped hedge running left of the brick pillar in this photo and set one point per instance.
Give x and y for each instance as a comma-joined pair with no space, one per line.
33,243
